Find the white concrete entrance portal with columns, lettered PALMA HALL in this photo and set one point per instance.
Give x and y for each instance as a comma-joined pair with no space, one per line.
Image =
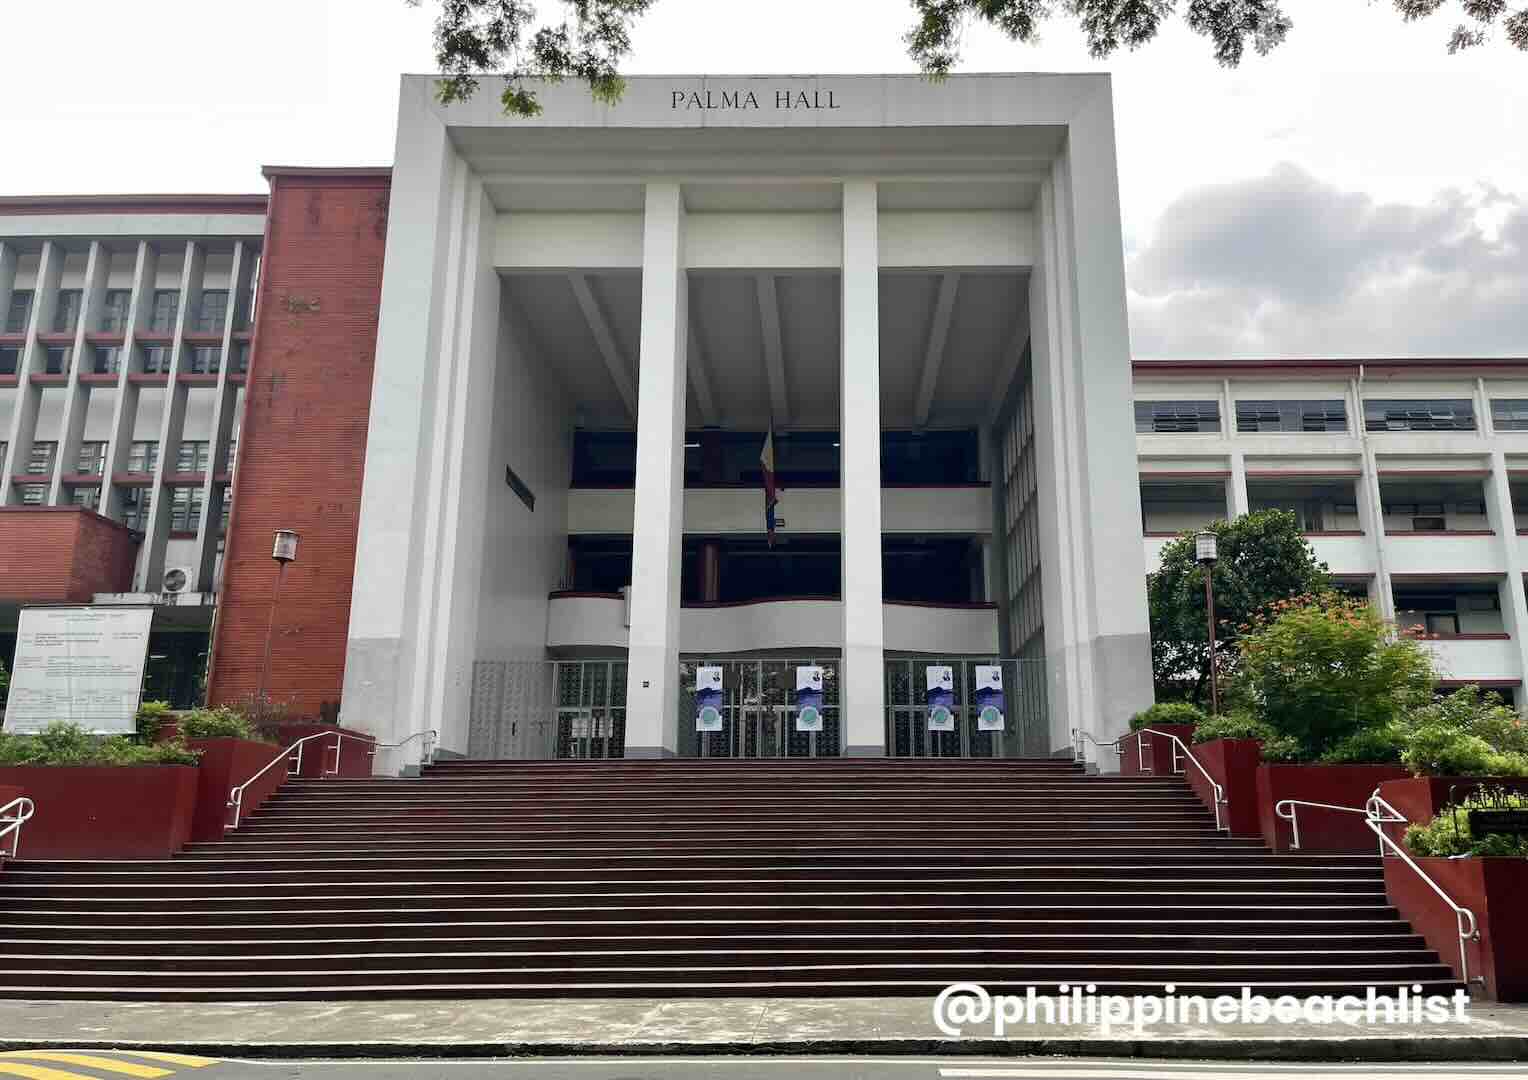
742,254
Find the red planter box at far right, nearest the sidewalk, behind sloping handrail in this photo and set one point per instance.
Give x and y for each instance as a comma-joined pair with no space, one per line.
1494,891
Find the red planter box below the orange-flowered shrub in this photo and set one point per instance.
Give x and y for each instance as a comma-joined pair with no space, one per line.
1330,832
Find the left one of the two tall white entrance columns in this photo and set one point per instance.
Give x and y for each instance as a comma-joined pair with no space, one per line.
659,520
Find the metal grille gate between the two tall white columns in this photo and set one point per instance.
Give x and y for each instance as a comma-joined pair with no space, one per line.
759,714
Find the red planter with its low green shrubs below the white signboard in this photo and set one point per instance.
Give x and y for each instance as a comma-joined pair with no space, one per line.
102,798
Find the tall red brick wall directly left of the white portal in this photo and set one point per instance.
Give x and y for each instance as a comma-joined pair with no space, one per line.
303,442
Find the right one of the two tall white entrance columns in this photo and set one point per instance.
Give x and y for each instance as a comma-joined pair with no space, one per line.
863,679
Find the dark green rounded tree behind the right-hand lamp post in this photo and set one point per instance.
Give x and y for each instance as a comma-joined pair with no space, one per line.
1263,558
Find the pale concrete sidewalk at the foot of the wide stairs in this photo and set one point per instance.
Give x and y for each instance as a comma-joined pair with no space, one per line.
572,1027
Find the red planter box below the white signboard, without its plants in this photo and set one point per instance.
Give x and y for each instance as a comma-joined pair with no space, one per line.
105,812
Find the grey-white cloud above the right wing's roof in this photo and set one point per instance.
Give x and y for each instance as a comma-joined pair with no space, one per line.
1286,265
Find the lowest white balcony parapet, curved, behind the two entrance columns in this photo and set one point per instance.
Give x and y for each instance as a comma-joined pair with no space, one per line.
598,622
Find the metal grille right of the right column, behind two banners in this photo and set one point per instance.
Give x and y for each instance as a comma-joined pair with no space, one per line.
1028,720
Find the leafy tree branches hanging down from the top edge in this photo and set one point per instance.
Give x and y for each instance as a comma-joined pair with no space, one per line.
481,37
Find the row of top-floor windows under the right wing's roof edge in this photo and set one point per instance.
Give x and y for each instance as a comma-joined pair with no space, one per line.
1332,415
